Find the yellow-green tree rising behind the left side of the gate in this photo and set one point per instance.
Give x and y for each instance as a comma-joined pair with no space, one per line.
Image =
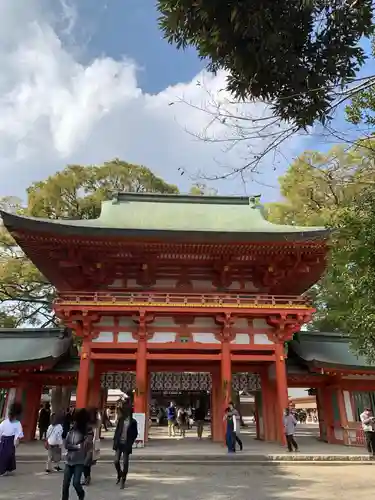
76,192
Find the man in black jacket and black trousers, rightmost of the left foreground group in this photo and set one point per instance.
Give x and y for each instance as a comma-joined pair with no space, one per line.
125,435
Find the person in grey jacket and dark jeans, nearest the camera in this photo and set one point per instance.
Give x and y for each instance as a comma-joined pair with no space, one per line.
76,444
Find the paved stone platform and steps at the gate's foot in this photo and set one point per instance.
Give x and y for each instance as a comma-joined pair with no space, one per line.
160,447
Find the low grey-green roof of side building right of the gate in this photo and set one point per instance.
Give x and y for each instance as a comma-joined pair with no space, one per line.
331,350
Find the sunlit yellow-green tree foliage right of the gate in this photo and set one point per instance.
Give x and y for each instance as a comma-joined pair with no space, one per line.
335,190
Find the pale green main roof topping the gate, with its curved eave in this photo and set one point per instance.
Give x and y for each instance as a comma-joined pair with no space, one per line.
153,214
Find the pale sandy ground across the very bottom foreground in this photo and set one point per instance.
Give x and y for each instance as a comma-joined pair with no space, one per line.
189,482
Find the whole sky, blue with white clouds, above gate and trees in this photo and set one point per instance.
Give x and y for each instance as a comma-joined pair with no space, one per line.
83,82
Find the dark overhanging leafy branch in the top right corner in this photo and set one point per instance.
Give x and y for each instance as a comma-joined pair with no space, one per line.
292,54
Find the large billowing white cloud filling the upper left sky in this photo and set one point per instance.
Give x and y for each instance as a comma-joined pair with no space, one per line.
55,110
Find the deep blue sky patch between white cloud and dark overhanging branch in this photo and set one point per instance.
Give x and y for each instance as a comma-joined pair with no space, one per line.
117,29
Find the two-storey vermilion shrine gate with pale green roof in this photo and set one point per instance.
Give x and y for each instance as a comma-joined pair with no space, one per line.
177,284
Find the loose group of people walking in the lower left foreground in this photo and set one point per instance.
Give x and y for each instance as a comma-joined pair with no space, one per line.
75,433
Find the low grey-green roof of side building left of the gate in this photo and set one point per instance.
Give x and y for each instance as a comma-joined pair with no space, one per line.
33,346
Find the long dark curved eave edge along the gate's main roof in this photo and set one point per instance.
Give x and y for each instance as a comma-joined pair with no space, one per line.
15,223
